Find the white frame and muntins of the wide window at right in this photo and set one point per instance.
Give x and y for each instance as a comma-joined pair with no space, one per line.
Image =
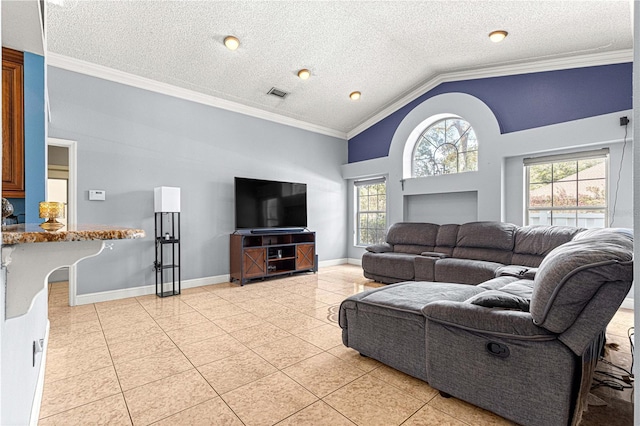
576,156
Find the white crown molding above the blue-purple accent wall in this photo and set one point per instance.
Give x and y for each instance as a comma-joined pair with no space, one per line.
607,58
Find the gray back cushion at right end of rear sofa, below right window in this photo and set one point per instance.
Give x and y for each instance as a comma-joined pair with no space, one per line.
533,243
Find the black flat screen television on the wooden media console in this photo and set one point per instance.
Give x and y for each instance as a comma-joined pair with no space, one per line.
267,204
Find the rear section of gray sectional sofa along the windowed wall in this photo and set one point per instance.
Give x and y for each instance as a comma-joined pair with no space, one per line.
467,254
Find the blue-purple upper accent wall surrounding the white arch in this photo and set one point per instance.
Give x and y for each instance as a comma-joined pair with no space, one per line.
519,102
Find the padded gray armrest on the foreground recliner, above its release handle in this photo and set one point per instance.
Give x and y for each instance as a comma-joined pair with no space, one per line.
491,321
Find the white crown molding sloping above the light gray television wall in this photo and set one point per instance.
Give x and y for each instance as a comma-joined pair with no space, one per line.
106,73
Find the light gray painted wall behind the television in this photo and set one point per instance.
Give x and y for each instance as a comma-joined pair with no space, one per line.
131,141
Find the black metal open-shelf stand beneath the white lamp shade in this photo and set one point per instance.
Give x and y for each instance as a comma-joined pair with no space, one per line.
167,263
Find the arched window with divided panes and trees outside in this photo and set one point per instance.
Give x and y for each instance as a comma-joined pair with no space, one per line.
447,146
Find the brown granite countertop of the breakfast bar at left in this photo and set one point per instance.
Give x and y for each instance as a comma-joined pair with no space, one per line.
33,233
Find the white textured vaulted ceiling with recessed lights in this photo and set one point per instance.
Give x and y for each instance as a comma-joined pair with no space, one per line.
384,49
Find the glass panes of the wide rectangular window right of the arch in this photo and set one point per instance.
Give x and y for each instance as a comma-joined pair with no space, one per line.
568,191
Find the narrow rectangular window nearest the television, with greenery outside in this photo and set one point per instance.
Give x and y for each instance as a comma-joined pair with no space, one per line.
371,196
